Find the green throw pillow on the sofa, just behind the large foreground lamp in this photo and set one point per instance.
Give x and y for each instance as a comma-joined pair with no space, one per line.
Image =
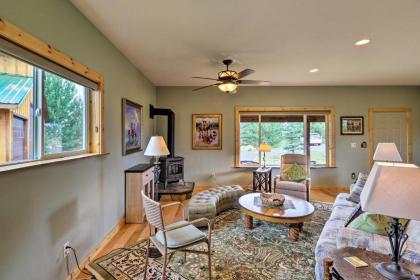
373,223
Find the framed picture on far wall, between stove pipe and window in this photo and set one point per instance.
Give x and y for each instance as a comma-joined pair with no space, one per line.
207,131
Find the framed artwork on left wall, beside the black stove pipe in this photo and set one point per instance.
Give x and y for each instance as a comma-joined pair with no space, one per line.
132,115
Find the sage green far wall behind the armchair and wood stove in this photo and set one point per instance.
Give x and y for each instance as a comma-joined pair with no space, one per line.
346,100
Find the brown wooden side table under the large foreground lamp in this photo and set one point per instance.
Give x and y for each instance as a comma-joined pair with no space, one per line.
335,267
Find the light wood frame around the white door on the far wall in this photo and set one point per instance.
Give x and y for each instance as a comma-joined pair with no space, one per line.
409,127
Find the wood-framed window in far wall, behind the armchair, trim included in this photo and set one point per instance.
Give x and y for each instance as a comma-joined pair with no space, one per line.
287,130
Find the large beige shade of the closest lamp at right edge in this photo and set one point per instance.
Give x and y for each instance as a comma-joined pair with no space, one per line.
393,189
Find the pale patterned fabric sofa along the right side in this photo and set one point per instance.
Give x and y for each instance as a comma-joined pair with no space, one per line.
335,235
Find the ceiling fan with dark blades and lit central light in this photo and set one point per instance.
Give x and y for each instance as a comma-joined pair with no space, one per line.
229,80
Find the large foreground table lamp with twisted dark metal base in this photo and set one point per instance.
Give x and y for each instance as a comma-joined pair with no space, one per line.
393,189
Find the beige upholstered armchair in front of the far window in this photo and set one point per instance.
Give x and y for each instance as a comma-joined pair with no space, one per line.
298,189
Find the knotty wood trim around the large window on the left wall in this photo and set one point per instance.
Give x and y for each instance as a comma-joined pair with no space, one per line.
96,144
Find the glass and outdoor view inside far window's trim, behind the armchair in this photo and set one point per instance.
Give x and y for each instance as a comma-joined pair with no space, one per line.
285,134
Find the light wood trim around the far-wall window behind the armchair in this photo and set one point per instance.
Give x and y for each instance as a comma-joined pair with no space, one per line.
326,109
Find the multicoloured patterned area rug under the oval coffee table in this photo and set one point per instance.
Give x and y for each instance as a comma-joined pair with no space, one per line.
262,253
